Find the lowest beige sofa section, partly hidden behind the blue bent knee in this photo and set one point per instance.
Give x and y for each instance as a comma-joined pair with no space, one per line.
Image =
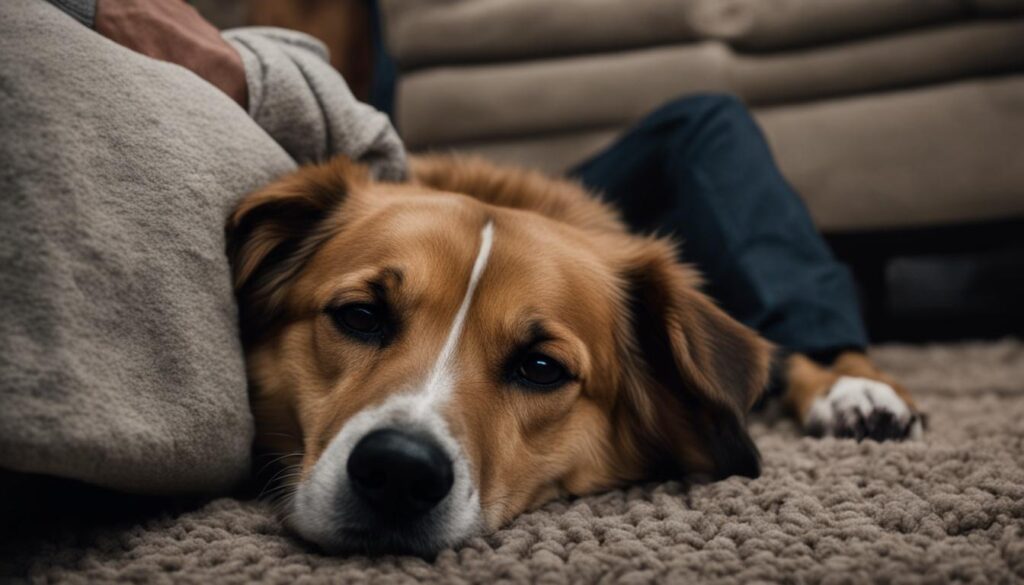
916,158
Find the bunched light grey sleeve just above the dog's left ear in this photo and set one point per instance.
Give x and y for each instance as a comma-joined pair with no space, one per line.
305,105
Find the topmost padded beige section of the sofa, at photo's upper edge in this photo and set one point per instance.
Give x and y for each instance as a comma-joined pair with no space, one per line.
431,32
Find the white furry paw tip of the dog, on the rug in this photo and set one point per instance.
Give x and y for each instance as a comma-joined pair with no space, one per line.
861,408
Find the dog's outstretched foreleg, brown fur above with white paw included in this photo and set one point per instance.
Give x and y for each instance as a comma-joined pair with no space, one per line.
851,399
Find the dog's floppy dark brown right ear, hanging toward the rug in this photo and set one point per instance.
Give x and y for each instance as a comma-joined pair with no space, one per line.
694,371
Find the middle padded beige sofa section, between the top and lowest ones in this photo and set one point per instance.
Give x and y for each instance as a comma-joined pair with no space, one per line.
445,106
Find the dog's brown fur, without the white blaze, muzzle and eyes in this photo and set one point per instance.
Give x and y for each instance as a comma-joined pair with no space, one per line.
665,378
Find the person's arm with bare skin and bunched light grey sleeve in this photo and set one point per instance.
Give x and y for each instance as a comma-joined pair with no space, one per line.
283,78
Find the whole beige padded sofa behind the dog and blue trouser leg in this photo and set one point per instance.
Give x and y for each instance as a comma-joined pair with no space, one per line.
884,114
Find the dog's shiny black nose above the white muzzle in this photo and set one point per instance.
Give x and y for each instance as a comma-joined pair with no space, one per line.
400,475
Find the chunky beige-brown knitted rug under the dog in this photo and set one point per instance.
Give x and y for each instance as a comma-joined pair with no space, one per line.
948,509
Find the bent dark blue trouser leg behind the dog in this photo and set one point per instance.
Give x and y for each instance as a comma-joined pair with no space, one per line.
701,171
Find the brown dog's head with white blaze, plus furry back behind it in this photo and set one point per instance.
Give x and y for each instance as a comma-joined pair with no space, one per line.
440,356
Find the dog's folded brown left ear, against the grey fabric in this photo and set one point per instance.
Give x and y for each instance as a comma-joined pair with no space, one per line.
274,232
